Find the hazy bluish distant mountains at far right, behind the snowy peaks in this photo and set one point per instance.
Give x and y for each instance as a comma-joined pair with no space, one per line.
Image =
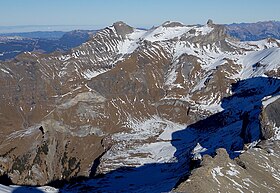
255,31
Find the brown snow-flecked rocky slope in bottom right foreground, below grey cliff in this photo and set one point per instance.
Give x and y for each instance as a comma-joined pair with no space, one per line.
254,170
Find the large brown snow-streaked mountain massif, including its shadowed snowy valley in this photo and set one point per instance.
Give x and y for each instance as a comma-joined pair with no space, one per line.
135,110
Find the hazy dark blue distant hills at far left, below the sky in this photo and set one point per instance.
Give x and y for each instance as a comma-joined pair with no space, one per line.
13,44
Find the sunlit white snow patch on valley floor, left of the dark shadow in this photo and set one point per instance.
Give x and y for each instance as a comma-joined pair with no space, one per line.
135,142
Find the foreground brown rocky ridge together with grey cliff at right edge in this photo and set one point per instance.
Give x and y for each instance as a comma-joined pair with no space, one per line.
255,169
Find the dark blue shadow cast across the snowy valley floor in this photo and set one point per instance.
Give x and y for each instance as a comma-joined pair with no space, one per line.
236,125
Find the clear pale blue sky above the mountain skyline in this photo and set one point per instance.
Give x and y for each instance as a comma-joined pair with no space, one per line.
138,13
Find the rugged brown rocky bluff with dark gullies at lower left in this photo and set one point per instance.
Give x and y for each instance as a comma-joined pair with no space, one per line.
49,152
